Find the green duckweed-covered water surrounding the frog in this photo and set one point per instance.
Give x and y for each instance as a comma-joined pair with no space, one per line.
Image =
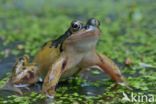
128,37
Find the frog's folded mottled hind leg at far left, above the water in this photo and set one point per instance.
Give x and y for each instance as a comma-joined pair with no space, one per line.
24,73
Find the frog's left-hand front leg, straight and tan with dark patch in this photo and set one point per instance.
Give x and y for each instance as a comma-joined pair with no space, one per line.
53,76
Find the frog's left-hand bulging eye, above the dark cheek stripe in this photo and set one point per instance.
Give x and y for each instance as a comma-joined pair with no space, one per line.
76,25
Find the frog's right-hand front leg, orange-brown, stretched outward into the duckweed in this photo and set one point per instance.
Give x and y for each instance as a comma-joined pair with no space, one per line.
106,65
